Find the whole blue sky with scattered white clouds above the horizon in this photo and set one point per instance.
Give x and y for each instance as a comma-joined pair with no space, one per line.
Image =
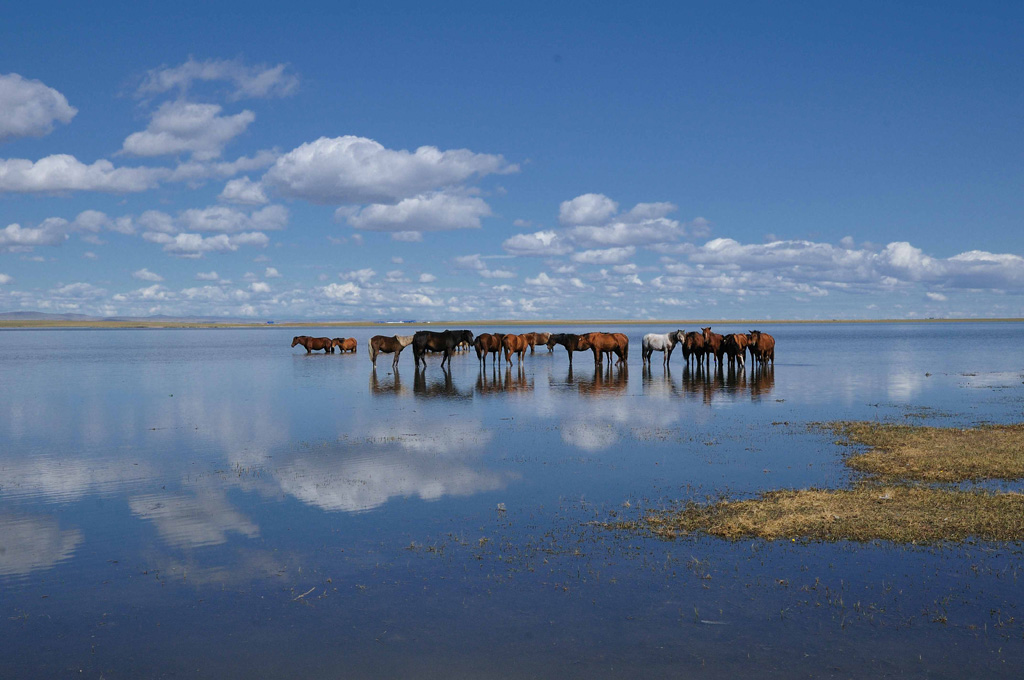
665,161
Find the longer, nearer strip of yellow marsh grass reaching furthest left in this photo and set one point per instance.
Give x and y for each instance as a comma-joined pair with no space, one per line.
902,515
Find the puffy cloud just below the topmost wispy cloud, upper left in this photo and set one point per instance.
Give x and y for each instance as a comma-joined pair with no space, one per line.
178,127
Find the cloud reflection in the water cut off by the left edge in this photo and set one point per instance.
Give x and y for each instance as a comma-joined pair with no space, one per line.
30,543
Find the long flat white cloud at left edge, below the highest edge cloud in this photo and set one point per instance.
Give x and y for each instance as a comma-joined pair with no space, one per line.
66,174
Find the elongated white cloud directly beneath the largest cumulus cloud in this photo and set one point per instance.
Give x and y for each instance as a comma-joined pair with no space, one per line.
429,212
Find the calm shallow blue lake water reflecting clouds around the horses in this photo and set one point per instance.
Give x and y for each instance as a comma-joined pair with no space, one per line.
216,504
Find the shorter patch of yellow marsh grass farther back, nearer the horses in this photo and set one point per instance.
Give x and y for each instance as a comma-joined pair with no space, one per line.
936,454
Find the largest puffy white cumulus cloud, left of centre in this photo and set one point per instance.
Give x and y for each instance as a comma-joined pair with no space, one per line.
358,171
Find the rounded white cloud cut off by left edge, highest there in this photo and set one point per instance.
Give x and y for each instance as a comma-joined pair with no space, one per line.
29,109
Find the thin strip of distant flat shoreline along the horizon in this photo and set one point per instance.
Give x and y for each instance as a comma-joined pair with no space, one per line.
46,324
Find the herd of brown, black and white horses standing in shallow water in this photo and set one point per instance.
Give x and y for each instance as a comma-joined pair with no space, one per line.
704,348
